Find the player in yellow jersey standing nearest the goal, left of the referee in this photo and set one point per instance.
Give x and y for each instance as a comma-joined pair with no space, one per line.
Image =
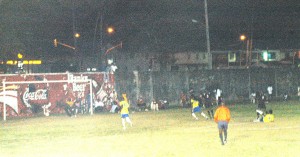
124,105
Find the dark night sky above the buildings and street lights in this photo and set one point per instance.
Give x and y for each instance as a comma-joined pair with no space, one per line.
147,25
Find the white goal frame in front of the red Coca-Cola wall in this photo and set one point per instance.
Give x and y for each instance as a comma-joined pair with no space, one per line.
4,83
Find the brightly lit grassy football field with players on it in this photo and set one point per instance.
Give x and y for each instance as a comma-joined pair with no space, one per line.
171,132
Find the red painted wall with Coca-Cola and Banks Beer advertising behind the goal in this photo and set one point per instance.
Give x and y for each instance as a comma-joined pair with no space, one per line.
29,94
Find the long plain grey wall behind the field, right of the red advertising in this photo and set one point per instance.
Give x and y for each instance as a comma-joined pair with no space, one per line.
236,84
